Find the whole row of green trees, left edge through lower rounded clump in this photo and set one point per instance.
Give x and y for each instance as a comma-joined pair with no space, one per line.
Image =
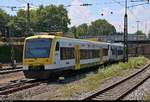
51,18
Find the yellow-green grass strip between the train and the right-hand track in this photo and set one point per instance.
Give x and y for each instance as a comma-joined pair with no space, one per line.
92,81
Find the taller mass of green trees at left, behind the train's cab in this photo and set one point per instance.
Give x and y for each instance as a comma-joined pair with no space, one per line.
49,18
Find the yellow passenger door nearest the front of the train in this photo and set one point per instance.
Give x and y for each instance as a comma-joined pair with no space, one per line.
77,57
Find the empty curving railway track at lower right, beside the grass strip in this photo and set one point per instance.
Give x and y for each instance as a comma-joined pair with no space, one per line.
122,88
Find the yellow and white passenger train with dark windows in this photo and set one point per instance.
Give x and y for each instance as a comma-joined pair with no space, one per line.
45,54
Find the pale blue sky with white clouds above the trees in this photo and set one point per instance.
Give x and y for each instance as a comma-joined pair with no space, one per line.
112,10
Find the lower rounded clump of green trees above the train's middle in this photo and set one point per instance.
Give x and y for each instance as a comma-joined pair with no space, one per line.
98,27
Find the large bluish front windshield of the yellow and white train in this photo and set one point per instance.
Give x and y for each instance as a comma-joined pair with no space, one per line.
37,48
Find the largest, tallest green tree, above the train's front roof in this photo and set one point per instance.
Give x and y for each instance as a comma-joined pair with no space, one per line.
52,18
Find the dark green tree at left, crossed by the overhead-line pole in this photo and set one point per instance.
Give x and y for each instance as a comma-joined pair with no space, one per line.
18,23
